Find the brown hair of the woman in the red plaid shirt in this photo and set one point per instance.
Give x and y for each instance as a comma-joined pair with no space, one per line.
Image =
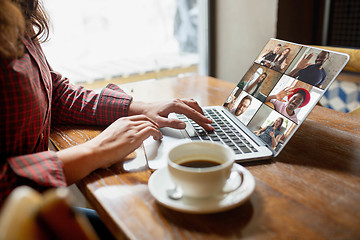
18,17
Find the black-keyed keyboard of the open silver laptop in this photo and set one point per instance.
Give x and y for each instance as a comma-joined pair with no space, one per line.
223,132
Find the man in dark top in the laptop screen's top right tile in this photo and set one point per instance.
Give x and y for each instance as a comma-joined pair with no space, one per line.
313,74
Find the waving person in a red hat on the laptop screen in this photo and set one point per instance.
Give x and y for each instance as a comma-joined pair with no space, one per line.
297,98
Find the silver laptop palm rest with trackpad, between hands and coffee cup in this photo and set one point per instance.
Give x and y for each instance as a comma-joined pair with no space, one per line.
156,151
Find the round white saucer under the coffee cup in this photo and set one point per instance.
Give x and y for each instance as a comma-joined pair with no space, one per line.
160,181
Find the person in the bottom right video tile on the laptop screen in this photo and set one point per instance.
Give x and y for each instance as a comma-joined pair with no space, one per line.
271,134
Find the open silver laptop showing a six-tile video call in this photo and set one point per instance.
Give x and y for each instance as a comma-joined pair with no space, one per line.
267,106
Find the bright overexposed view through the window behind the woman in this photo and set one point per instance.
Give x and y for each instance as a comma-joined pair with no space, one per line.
94,40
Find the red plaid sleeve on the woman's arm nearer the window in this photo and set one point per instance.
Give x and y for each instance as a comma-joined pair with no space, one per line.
76,105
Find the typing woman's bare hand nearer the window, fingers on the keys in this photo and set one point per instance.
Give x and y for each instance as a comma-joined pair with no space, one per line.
159,111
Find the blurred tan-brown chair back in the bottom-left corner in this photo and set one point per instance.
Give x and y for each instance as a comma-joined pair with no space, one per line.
27,214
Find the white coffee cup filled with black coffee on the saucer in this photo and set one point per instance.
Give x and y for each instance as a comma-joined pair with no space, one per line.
201,182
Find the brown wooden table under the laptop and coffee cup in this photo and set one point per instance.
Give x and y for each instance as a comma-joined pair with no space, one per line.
310,191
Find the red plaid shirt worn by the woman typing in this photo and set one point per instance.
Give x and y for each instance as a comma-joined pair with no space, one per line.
33,96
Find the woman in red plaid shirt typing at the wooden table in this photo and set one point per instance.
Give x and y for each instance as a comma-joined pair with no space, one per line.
34,97
